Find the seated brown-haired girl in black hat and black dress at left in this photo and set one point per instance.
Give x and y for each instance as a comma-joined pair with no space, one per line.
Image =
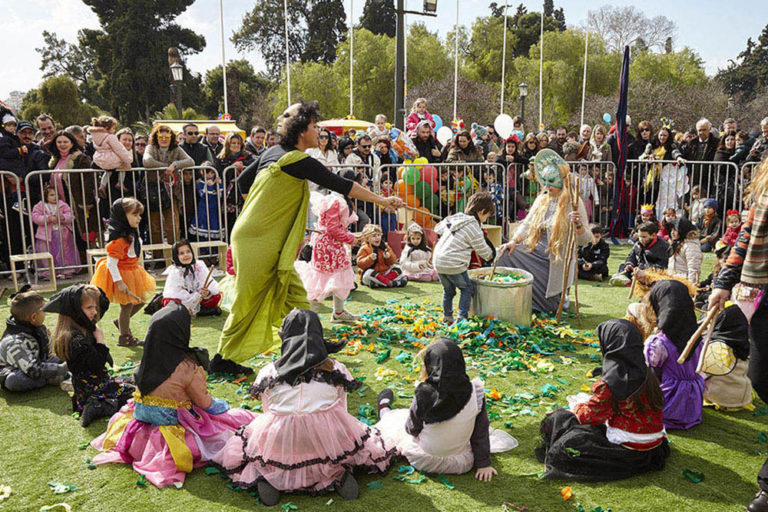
80,342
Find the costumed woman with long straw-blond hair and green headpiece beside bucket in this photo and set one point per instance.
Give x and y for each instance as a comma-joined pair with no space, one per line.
540,244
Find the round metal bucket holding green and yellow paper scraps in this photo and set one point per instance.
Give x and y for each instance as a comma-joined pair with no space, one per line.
510,302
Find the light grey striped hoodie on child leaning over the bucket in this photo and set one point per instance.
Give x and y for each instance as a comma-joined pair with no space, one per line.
460,234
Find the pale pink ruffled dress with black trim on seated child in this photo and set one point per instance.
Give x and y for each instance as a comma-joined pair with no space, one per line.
306,440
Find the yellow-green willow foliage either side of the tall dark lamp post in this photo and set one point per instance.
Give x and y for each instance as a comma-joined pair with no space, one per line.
374,68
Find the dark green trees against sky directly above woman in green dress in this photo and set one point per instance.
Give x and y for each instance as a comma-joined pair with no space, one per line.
315,29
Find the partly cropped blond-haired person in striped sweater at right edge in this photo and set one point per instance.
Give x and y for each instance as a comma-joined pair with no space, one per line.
748,264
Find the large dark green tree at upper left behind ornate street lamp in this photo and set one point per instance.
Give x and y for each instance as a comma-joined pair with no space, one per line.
130,53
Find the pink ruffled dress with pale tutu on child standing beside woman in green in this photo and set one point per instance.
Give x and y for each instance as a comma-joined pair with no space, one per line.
330,271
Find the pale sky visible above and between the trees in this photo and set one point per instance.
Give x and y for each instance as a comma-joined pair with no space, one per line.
717,33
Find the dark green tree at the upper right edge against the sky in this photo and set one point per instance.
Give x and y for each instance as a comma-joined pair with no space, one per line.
748,75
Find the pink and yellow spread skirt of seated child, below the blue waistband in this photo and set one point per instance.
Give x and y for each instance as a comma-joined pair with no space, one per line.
165,454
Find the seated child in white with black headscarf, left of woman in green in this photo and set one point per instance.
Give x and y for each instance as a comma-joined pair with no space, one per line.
186,283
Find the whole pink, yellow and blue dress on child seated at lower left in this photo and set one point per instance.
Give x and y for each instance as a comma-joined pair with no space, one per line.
177,434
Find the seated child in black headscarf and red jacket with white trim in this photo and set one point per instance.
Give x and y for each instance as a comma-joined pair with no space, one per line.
618,431
